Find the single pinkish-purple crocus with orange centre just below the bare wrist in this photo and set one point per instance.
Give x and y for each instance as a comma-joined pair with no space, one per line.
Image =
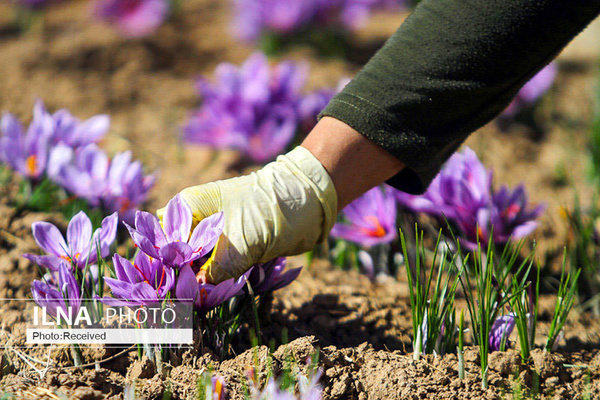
371,218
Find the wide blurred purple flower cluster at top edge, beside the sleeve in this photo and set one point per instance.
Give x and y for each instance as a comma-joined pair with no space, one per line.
284,17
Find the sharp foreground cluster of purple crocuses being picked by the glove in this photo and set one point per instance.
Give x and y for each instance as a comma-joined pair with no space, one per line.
164,268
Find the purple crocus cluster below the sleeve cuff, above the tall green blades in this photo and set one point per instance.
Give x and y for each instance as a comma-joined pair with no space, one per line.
462,193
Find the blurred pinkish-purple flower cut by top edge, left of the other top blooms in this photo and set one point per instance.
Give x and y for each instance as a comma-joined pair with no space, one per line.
133,18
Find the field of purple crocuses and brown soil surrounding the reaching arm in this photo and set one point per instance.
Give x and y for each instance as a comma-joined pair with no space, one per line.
485,287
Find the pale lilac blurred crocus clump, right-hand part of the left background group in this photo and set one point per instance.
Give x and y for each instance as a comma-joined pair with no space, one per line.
116,185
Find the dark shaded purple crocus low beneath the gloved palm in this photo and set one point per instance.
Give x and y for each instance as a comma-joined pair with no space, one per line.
269,276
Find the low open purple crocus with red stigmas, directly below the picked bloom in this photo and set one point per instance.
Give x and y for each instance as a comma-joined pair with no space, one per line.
146,281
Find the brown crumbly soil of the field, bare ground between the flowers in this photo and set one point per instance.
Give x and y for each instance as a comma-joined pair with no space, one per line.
362,329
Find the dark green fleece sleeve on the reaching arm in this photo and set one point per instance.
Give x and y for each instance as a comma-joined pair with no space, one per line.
450,68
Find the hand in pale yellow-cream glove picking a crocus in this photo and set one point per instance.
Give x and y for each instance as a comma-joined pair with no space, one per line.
281,210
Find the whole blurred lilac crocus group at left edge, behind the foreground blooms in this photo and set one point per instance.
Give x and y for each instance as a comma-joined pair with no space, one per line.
62,148
